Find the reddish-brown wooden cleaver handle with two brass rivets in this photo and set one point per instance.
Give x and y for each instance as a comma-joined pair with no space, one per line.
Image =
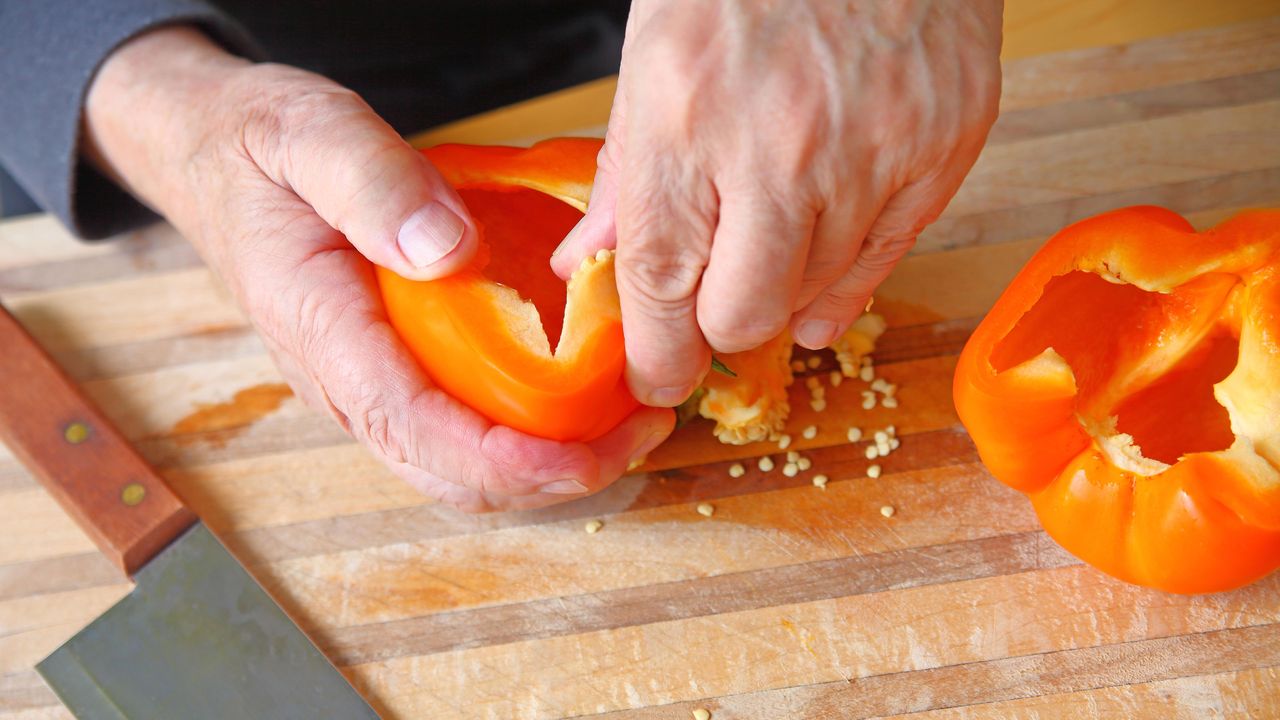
81,459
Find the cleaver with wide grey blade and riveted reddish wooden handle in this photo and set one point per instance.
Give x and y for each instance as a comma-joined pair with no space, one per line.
198,637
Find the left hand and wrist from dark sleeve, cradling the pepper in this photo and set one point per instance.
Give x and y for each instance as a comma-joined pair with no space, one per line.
289,186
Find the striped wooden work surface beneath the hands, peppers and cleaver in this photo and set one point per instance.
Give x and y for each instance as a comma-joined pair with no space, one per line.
789,603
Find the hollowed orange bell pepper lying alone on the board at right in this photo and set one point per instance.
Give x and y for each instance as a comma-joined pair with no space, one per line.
1128,381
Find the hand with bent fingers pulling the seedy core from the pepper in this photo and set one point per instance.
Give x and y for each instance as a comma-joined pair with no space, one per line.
770,172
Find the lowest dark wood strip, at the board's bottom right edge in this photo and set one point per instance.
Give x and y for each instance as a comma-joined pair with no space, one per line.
999,681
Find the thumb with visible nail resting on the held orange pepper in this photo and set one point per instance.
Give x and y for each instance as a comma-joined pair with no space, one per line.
367,183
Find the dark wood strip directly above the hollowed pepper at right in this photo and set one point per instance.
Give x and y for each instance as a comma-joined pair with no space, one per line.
1232,190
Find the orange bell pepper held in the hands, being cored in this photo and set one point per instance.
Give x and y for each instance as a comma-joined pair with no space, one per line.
483,335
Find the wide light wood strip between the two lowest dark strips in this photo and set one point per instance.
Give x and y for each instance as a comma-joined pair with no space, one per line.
796,645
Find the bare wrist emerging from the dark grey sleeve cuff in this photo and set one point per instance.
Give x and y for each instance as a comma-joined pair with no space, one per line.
148,108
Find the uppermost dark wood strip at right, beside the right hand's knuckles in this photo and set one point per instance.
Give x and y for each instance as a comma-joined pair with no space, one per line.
1135,107
